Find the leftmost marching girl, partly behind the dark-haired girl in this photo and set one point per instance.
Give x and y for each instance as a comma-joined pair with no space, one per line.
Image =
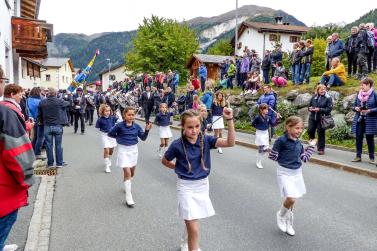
105,122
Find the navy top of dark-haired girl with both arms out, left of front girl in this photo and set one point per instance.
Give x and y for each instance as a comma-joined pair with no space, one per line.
127,135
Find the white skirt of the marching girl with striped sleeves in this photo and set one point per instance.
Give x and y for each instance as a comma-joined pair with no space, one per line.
291,182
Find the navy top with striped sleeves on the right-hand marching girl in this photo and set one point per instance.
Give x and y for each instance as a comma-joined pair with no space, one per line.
289,153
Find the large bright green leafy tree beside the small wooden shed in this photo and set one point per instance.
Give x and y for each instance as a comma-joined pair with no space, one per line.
161,44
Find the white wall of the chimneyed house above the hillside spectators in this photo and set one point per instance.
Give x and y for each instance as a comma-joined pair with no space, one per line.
261,41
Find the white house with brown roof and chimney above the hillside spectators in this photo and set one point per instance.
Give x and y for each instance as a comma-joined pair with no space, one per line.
263,36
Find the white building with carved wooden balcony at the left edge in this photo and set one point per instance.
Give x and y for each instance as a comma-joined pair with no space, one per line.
22,36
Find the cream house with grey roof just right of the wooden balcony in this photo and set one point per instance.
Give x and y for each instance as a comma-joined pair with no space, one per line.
58,74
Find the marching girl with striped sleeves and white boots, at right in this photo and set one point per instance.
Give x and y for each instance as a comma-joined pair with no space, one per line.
289,152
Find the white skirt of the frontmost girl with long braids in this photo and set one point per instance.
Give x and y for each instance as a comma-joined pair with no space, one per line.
193,199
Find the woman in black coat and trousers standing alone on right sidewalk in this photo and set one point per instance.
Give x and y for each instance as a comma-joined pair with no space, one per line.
320,105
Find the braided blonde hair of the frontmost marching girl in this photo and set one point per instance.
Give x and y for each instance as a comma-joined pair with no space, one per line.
185,115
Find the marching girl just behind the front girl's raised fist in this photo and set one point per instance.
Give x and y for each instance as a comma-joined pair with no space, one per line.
217,119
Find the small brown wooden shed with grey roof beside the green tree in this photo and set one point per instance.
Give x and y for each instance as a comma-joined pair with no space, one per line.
212,62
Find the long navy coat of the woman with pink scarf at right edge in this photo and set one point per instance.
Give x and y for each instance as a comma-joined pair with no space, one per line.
370,118
